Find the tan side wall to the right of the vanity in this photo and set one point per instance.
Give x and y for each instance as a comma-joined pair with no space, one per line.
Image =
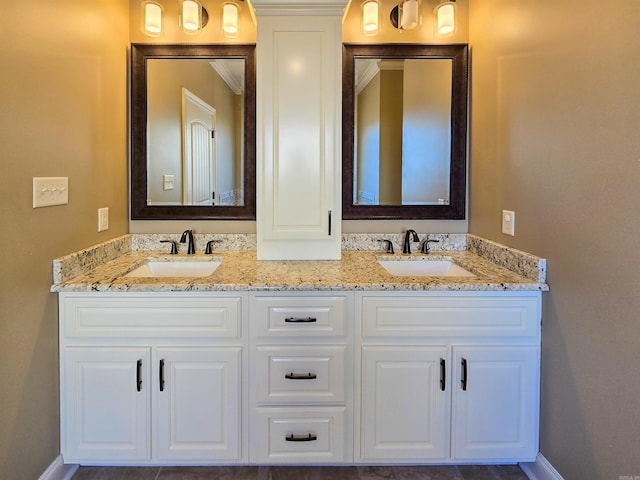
555,117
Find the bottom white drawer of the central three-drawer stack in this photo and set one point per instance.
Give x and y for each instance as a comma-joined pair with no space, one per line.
298,434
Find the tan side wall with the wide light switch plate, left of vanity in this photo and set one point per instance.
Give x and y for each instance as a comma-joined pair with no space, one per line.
63,95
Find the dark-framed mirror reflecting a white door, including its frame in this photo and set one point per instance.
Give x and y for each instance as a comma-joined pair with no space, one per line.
193,135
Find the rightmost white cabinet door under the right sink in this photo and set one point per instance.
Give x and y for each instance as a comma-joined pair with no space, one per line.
495,403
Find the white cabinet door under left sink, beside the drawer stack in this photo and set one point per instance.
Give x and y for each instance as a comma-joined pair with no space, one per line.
198,414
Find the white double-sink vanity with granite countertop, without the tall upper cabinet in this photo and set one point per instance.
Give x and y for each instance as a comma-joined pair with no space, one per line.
299,362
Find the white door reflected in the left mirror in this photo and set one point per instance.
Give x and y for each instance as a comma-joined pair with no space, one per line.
198,151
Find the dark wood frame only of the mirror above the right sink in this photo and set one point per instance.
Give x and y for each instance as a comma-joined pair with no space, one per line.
456,210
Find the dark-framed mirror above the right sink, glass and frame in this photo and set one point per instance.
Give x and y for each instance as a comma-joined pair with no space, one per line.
404,131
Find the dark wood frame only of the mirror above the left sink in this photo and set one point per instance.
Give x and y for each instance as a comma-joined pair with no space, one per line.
140,53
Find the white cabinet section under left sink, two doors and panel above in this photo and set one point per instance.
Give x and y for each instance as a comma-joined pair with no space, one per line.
174,397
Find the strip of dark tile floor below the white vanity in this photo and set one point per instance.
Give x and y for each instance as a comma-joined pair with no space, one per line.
460,472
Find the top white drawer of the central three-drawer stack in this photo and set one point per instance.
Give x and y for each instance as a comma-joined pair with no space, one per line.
298,316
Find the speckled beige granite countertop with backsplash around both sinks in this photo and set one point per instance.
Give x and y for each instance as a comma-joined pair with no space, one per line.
496,268
